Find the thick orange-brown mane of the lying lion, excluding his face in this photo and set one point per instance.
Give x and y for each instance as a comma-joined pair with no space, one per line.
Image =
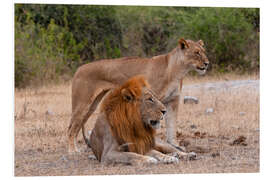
125,120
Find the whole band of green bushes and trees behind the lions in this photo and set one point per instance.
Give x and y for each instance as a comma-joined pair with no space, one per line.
51,41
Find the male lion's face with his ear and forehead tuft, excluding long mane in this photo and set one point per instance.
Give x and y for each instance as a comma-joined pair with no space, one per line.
152,111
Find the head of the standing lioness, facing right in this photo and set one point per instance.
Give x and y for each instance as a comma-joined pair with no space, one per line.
194,55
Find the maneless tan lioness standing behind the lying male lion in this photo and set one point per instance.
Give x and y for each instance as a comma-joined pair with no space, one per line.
164,73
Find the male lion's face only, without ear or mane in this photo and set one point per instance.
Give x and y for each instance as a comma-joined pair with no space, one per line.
152,110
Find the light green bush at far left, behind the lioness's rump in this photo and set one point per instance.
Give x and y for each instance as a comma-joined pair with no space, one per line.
43,54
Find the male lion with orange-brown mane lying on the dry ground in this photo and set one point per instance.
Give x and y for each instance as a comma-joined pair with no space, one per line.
125,129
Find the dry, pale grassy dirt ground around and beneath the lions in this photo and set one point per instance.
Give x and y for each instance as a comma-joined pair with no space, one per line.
223,129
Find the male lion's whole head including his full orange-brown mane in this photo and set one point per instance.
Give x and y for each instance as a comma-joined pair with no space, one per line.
133,113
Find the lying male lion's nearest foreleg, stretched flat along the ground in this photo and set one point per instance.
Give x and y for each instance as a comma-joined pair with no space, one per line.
127,158
